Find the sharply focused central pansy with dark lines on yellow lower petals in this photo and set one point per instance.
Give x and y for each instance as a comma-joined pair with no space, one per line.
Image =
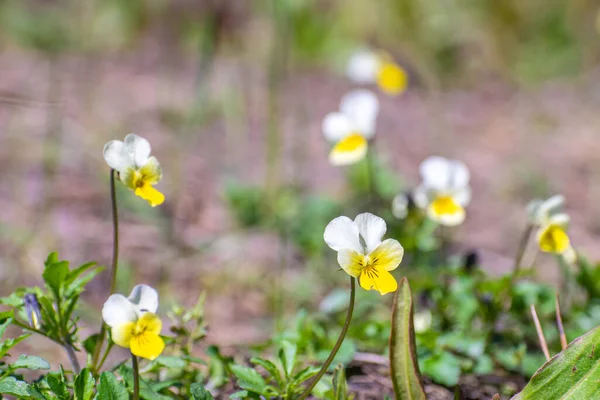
362,253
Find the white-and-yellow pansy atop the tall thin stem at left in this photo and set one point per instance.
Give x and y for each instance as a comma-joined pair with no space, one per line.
137,170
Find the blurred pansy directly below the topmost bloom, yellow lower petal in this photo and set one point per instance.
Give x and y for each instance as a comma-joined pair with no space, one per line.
350,128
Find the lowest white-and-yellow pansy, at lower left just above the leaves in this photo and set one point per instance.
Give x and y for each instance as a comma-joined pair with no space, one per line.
134,323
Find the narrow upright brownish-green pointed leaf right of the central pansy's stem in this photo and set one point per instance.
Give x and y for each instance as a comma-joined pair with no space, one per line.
403,356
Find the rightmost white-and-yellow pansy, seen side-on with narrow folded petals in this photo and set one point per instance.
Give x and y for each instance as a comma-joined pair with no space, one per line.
552,225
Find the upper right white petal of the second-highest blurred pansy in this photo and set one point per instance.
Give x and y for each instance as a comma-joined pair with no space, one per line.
361,107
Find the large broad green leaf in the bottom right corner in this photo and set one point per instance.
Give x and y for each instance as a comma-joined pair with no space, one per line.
572,374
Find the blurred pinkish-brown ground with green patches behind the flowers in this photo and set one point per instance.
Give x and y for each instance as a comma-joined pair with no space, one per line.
231,95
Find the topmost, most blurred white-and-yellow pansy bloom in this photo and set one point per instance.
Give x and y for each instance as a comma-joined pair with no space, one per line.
367,67
